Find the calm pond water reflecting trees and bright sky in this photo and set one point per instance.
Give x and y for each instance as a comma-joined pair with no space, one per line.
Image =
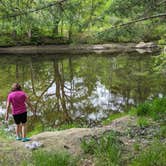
80,88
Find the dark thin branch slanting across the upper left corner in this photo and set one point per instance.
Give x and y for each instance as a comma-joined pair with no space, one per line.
33,10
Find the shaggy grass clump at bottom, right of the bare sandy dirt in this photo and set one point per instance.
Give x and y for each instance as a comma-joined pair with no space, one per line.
107,150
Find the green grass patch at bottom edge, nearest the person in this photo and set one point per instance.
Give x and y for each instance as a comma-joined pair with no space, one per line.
43,158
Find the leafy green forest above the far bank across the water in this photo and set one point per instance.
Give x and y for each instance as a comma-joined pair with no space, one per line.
36,22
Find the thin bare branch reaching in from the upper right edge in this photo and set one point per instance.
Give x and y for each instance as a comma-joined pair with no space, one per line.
141,19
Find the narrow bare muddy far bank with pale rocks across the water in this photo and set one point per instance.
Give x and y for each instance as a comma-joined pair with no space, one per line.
79,49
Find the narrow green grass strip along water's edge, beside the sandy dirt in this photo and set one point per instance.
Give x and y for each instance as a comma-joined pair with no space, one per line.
113,117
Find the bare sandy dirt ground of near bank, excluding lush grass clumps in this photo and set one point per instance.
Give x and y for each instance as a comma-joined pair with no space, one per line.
132,135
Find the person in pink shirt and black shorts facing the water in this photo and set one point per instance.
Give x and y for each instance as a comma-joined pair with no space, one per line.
18,100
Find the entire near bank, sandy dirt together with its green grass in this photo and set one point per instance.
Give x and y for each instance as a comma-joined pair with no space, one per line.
135,139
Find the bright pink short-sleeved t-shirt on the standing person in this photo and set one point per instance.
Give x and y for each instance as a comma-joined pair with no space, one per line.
17,99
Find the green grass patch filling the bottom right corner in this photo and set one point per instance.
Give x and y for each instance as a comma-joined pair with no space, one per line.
154,155
